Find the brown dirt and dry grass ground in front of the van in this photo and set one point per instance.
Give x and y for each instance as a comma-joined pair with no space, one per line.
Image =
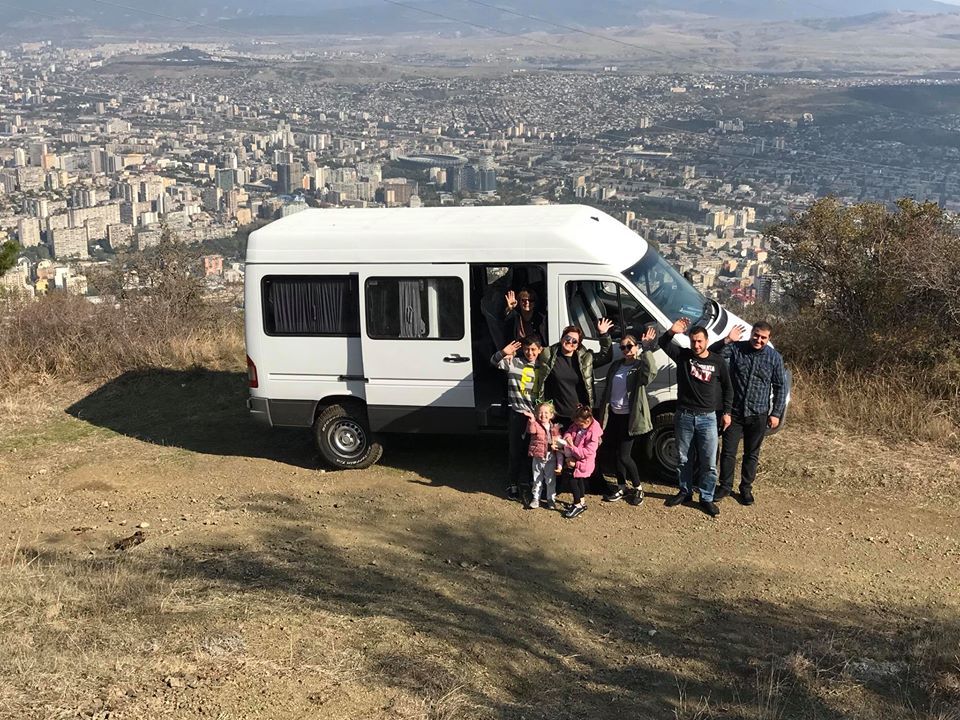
265,588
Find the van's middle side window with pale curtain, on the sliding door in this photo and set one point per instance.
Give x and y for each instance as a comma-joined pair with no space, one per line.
422,308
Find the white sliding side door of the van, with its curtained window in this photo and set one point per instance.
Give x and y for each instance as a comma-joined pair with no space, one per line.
416,344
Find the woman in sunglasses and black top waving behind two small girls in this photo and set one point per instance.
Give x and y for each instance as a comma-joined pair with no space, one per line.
565,375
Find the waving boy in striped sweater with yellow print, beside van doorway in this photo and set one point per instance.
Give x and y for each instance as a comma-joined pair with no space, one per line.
521,379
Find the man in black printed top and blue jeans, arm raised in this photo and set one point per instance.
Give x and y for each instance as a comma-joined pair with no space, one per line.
703,385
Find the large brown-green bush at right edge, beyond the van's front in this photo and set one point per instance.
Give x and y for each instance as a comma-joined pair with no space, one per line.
873,285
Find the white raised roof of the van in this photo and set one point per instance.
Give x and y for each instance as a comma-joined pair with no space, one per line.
529,233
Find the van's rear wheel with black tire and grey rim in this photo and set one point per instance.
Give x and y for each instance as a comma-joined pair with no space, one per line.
344,439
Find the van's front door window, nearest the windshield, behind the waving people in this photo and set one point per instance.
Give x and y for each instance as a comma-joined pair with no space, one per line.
590,300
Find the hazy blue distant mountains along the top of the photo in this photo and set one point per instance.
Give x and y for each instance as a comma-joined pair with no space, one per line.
202,19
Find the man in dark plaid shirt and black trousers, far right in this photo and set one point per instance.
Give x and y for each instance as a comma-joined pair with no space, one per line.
756,370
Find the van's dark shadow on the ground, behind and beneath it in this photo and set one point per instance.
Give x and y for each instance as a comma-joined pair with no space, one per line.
205,412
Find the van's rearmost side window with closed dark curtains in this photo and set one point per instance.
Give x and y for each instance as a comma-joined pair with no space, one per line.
311,305
